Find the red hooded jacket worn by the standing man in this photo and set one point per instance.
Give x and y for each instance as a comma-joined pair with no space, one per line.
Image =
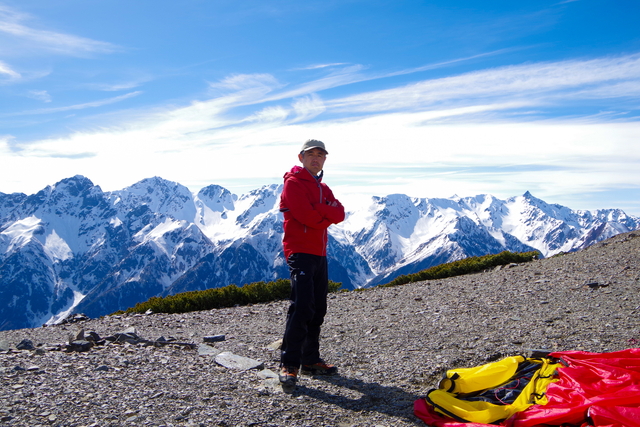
309,208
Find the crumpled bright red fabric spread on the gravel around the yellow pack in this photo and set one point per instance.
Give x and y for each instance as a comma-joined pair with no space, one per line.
595,389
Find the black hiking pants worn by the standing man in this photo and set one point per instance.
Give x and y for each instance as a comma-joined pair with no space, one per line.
309,288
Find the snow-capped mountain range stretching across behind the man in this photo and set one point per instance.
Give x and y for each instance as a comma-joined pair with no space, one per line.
73,247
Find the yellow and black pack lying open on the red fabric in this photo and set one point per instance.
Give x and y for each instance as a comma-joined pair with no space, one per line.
494,391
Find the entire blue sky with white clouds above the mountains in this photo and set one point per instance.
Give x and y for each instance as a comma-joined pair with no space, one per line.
428,99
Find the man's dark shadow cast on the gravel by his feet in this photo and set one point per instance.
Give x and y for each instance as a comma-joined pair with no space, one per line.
389,400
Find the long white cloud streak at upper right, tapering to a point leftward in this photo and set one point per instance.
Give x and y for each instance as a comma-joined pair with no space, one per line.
531,83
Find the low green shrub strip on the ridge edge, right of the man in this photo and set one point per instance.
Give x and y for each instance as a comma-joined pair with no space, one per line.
465,266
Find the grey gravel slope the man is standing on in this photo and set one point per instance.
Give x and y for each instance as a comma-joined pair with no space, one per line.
391,345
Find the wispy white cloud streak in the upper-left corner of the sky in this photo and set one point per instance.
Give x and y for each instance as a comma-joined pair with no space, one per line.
12,24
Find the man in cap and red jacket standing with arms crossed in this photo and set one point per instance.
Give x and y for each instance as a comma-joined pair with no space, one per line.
309,208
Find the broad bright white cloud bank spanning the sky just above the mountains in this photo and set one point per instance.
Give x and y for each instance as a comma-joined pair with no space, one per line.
432,138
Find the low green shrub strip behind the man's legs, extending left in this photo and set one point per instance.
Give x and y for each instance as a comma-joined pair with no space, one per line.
228,296
